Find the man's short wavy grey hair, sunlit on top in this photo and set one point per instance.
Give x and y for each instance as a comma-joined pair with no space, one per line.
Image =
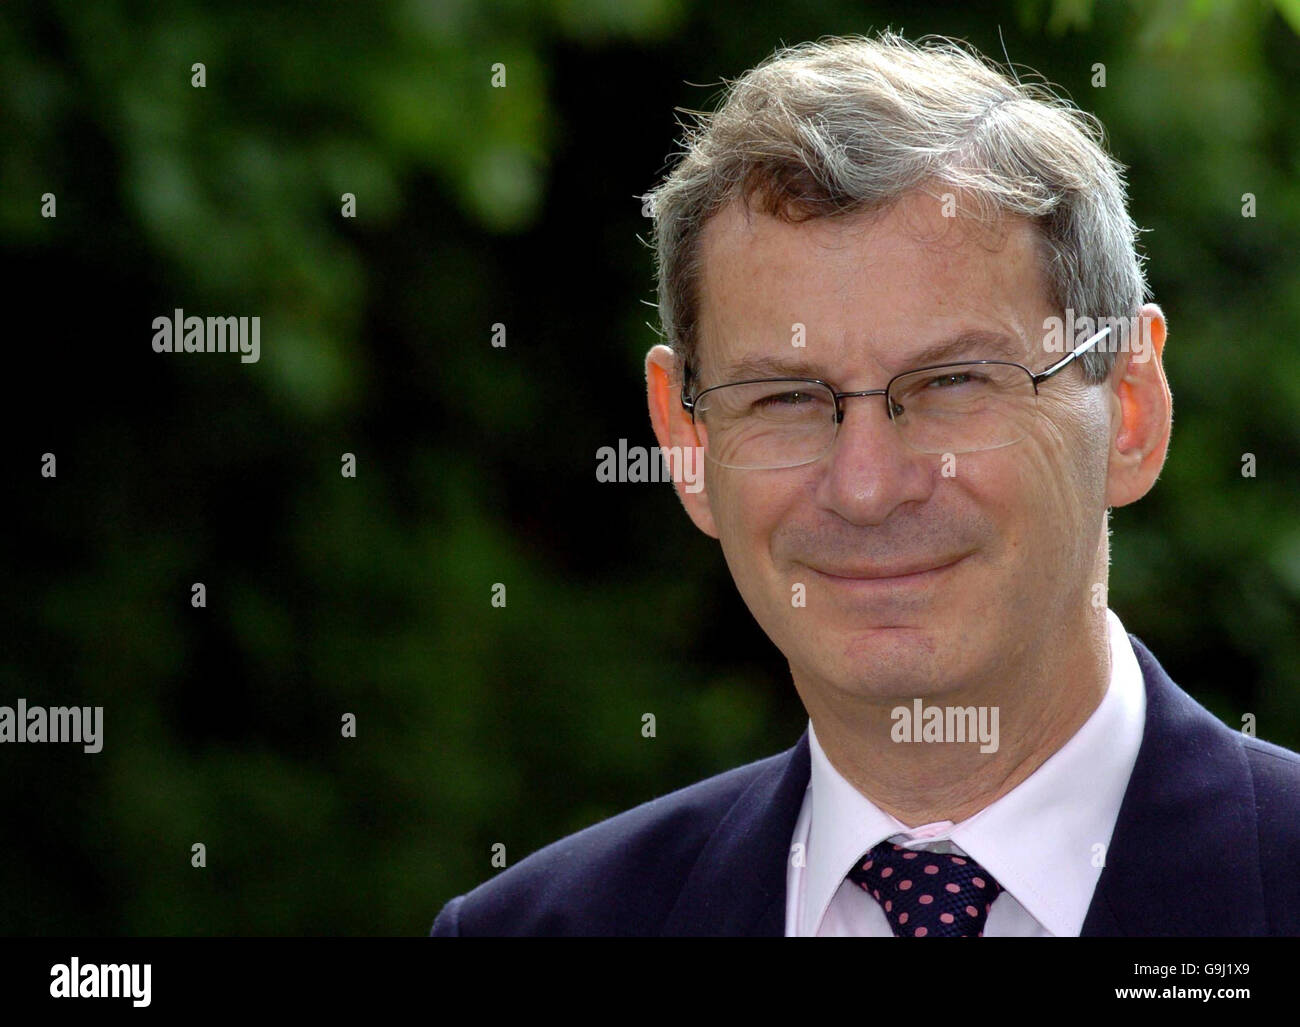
850,124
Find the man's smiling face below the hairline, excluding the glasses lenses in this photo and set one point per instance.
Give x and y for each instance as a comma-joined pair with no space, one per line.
1019,527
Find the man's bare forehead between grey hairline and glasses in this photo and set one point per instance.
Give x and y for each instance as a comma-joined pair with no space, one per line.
881,281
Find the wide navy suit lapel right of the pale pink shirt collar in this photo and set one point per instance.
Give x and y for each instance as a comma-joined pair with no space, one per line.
1184,859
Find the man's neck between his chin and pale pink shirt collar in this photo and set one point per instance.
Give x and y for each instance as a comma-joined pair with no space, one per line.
1039,707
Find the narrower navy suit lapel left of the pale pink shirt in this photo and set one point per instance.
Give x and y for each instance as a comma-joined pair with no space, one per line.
738,886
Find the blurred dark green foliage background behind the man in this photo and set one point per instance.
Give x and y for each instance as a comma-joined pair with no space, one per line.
371,596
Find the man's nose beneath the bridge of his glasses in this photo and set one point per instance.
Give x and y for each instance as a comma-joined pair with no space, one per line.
870,471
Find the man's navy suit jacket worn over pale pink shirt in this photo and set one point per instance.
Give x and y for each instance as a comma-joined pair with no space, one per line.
1207,844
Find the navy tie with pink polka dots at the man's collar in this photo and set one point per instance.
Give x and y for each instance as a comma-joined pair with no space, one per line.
928,895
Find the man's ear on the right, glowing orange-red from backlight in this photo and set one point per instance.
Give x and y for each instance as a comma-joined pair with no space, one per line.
1142,411
